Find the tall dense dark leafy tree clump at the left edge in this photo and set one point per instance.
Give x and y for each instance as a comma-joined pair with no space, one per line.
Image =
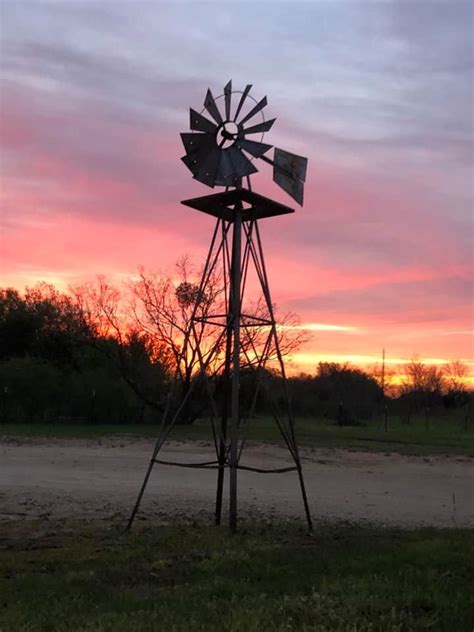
50,363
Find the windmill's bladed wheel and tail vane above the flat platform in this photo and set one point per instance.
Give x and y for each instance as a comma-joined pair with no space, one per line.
221,149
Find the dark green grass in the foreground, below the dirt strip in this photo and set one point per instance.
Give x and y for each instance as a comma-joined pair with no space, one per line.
171,579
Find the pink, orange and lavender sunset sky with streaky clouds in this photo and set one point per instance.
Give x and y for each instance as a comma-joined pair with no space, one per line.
378,95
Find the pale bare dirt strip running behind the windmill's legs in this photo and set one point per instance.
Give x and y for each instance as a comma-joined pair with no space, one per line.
51,484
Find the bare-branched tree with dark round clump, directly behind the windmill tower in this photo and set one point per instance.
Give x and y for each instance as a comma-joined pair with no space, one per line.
167,308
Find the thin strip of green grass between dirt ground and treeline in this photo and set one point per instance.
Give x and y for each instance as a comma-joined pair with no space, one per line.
444,436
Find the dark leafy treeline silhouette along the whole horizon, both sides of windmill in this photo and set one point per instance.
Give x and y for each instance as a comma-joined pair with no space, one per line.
59,364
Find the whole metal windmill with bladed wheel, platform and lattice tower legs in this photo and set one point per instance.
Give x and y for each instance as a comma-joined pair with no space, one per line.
220,151
